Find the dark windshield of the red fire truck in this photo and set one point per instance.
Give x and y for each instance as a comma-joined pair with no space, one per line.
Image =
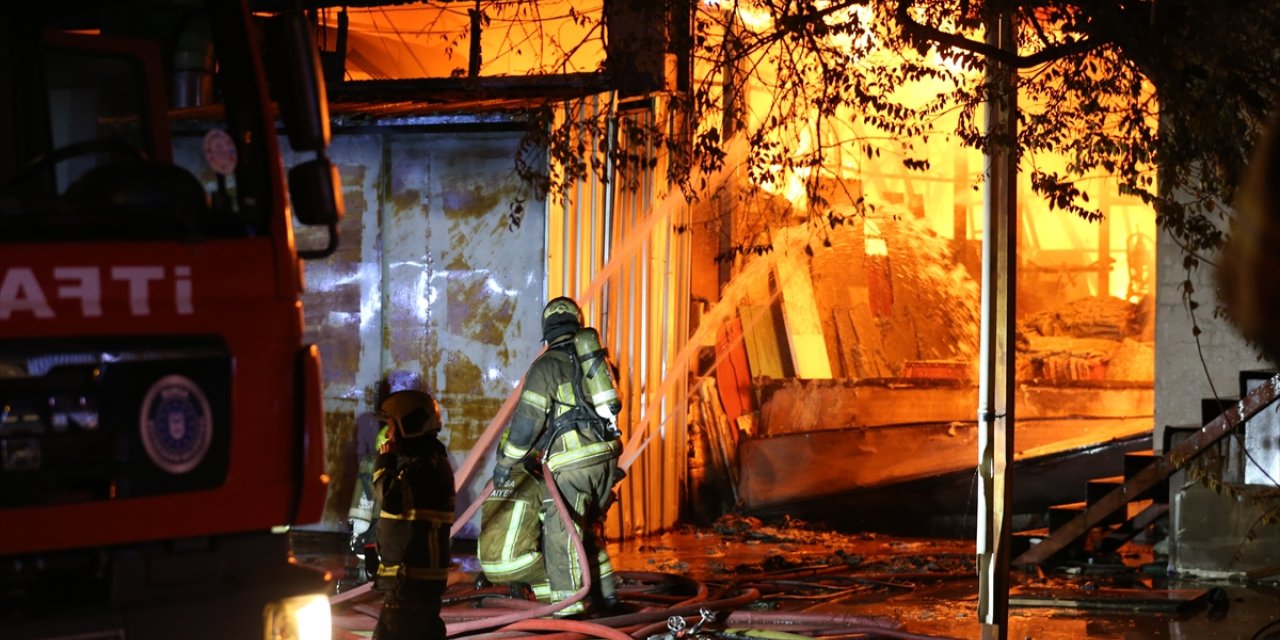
134,124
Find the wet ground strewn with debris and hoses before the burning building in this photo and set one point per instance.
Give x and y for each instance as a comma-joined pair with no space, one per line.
811,583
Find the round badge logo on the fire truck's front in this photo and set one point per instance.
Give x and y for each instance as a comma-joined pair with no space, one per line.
176,424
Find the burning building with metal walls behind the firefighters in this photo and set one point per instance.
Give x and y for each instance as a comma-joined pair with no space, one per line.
785,258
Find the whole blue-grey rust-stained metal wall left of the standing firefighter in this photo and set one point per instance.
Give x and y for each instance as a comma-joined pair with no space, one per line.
431,287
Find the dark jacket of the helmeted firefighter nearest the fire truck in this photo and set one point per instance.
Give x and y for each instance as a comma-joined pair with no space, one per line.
417,496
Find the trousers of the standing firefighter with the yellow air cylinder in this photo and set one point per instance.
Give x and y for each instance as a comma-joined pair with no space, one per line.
586,481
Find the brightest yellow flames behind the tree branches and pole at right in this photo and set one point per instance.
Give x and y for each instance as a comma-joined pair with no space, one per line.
1075,257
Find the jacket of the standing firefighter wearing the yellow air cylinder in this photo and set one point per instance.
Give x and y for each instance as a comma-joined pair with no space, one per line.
542,419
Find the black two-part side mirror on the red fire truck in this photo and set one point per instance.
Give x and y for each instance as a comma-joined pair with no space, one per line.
298,83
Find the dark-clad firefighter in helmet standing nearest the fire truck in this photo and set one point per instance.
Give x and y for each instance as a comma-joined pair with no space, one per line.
414,482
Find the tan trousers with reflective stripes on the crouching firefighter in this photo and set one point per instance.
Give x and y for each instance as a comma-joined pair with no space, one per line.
511,548
